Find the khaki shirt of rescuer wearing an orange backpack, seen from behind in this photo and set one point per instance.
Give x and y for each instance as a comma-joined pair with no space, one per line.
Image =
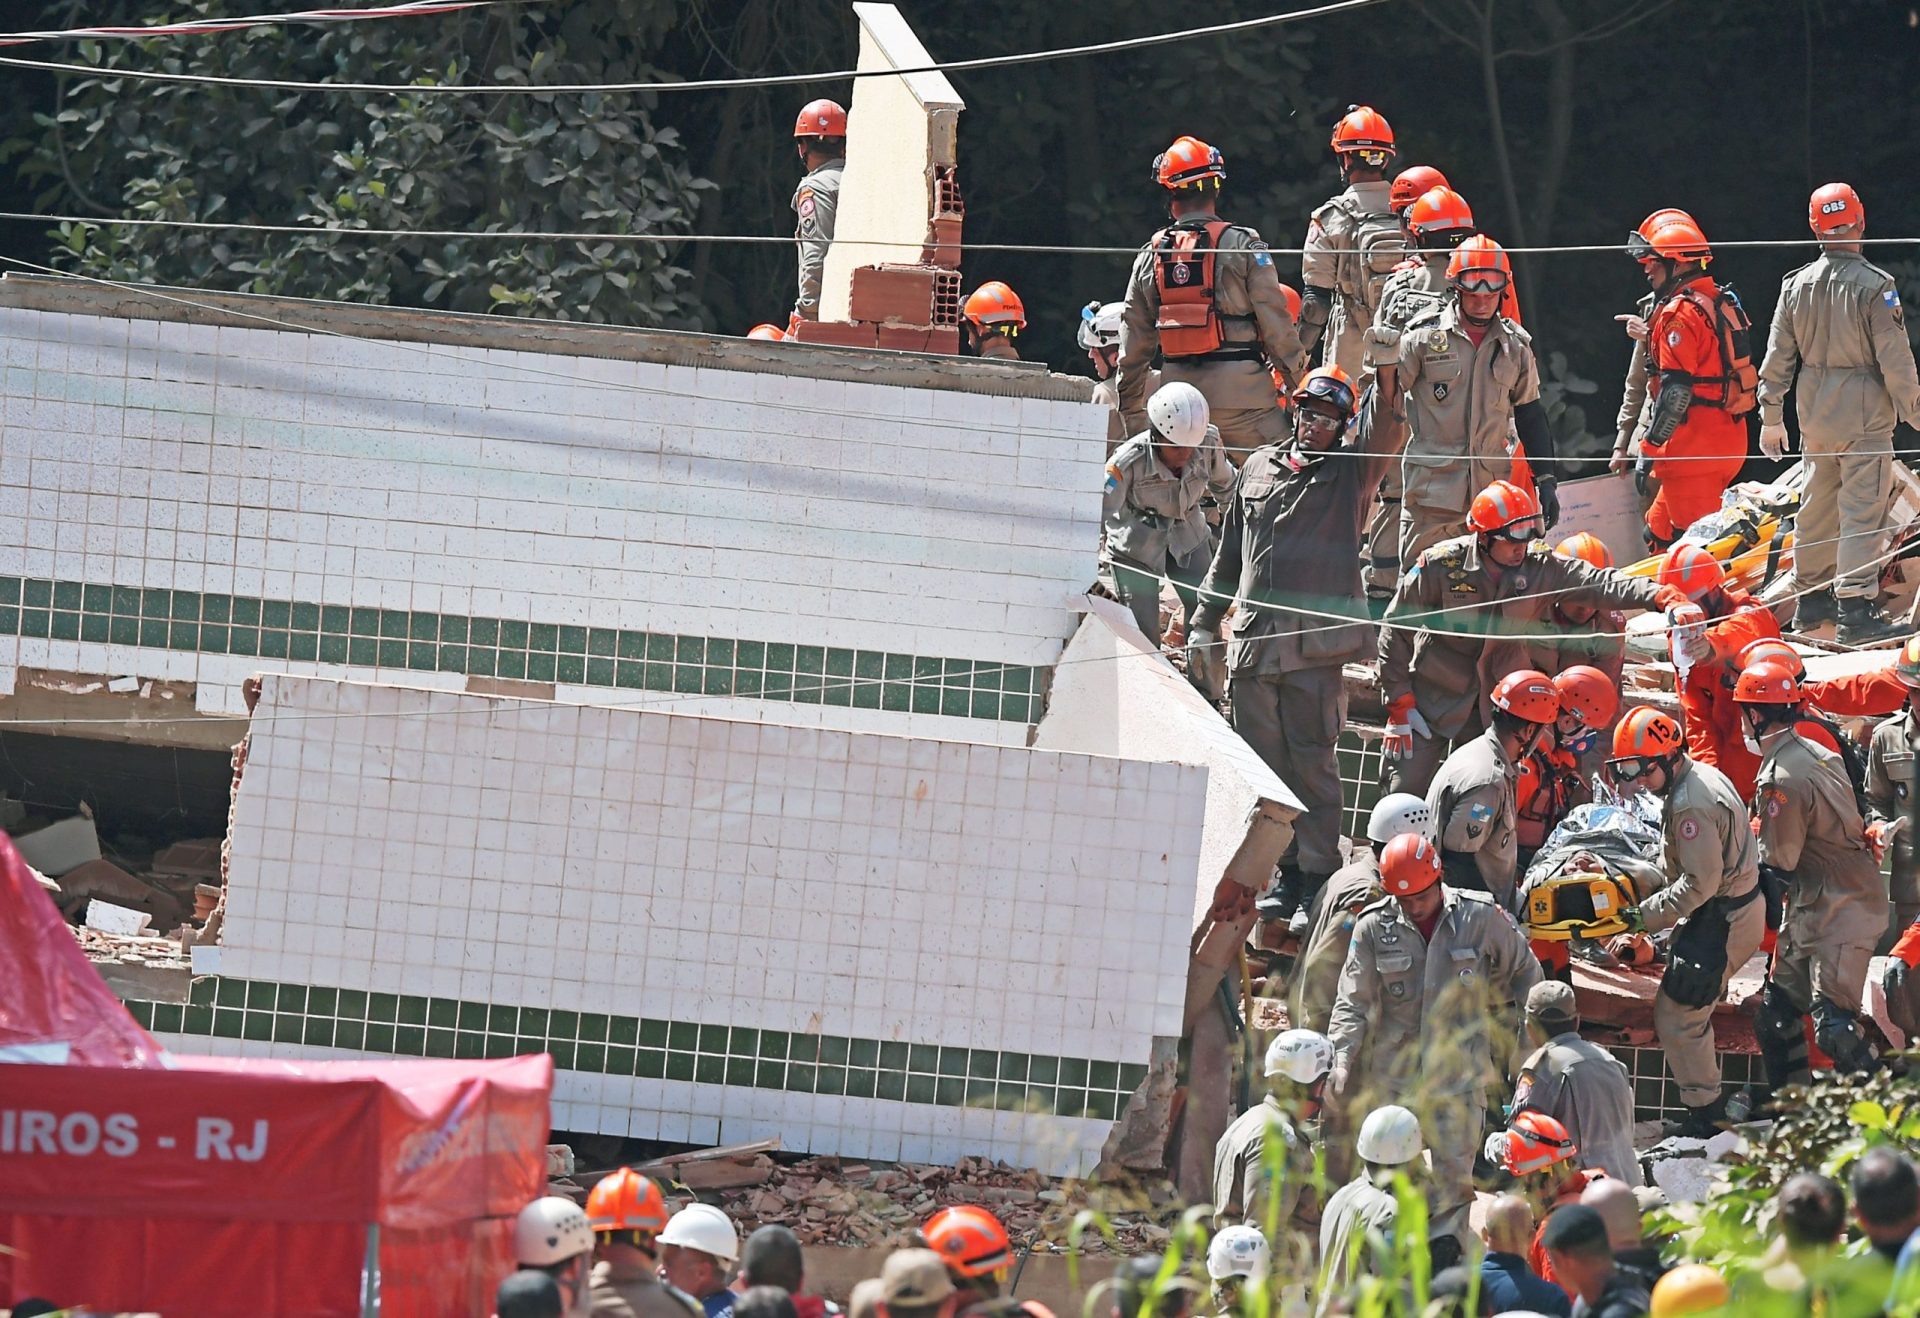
1247,295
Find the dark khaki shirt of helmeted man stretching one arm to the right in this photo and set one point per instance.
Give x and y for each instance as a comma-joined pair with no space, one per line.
1462,648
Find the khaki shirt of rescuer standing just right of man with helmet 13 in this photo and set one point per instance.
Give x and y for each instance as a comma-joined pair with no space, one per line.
1812,829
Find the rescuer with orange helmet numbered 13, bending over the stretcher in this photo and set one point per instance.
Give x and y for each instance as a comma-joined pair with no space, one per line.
1714,900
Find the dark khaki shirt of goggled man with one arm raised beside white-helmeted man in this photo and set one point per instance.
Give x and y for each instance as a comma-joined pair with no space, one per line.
1291,535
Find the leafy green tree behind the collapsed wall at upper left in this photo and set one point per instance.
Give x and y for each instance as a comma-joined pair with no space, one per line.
433,162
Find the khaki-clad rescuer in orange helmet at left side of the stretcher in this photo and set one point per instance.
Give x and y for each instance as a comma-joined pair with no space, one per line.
1472,796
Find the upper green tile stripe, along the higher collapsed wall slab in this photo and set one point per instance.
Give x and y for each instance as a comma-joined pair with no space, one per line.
521,650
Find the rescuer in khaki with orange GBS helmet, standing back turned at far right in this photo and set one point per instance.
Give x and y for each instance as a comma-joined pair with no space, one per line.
1840,343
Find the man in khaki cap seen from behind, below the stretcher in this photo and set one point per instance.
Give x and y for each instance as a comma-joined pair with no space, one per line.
1577,1083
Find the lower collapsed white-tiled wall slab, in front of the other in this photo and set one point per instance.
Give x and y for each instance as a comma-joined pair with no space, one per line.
1001,910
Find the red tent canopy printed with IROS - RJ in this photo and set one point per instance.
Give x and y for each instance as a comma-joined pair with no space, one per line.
216,1186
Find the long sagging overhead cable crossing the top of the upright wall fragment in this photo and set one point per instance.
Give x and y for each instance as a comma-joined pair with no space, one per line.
700,85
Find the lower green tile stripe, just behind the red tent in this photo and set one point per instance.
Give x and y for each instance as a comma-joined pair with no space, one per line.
635,1046
